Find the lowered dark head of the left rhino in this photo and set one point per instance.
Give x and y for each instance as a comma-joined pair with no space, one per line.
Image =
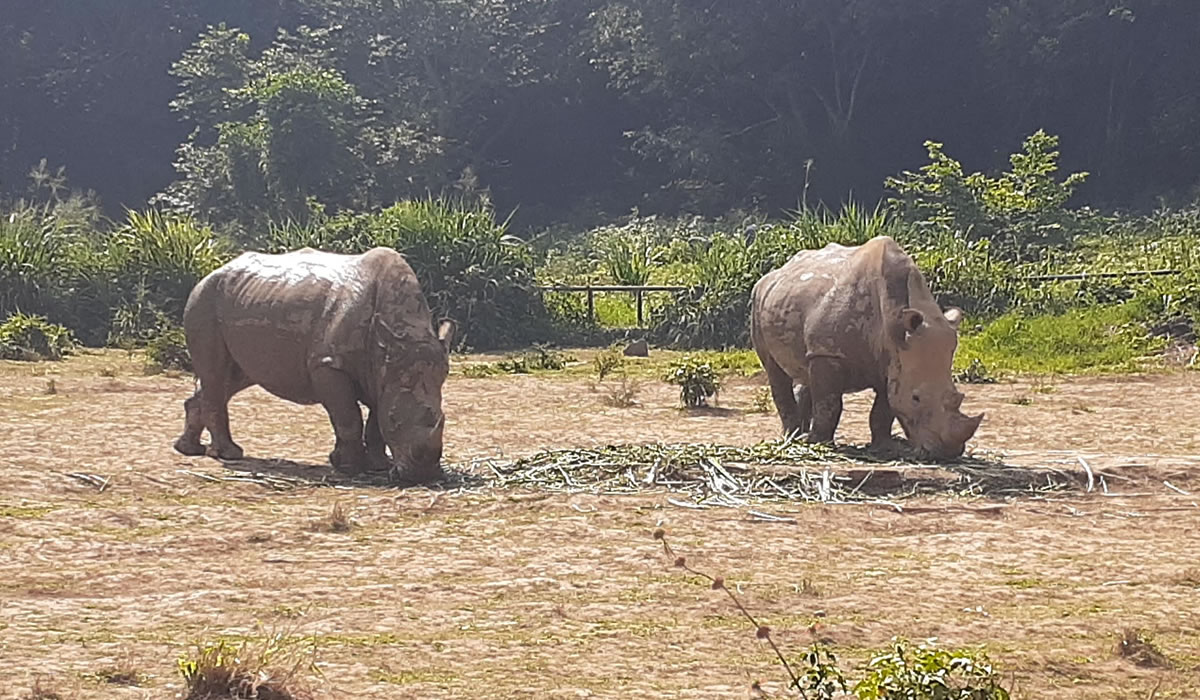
410,403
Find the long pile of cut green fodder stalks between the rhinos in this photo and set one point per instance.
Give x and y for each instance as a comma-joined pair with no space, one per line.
787,469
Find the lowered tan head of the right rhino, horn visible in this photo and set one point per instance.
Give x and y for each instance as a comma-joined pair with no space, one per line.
921,390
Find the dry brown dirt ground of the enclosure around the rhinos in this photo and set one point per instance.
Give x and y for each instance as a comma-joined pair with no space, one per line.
488,594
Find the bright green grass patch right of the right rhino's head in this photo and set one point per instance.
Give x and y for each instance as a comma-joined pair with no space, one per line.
1103,339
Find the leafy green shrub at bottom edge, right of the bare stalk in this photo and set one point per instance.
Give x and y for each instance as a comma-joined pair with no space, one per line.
926,673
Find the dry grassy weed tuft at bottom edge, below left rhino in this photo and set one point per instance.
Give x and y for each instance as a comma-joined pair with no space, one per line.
271,668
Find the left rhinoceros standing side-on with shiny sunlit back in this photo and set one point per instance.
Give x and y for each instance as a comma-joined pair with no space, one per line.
314,327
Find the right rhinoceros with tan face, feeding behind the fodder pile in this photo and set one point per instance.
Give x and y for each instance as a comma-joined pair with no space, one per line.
843,320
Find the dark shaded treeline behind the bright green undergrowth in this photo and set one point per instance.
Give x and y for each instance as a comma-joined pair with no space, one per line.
572,109
